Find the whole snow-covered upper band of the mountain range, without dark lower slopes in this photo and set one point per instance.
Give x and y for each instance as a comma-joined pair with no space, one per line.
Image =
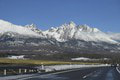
63,33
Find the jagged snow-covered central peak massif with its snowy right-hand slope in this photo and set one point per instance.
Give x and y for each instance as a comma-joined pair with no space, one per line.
72,31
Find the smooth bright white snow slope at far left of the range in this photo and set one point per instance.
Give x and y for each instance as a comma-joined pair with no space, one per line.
9,27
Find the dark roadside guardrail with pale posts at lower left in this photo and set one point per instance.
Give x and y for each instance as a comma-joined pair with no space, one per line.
14,70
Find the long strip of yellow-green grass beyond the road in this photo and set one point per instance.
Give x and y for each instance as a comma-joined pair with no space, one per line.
38,62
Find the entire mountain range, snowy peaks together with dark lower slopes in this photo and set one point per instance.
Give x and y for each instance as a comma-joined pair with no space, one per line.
68,38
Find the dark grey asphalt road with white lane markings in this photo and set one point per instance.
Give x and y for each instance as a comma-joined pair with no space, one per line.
104,73
